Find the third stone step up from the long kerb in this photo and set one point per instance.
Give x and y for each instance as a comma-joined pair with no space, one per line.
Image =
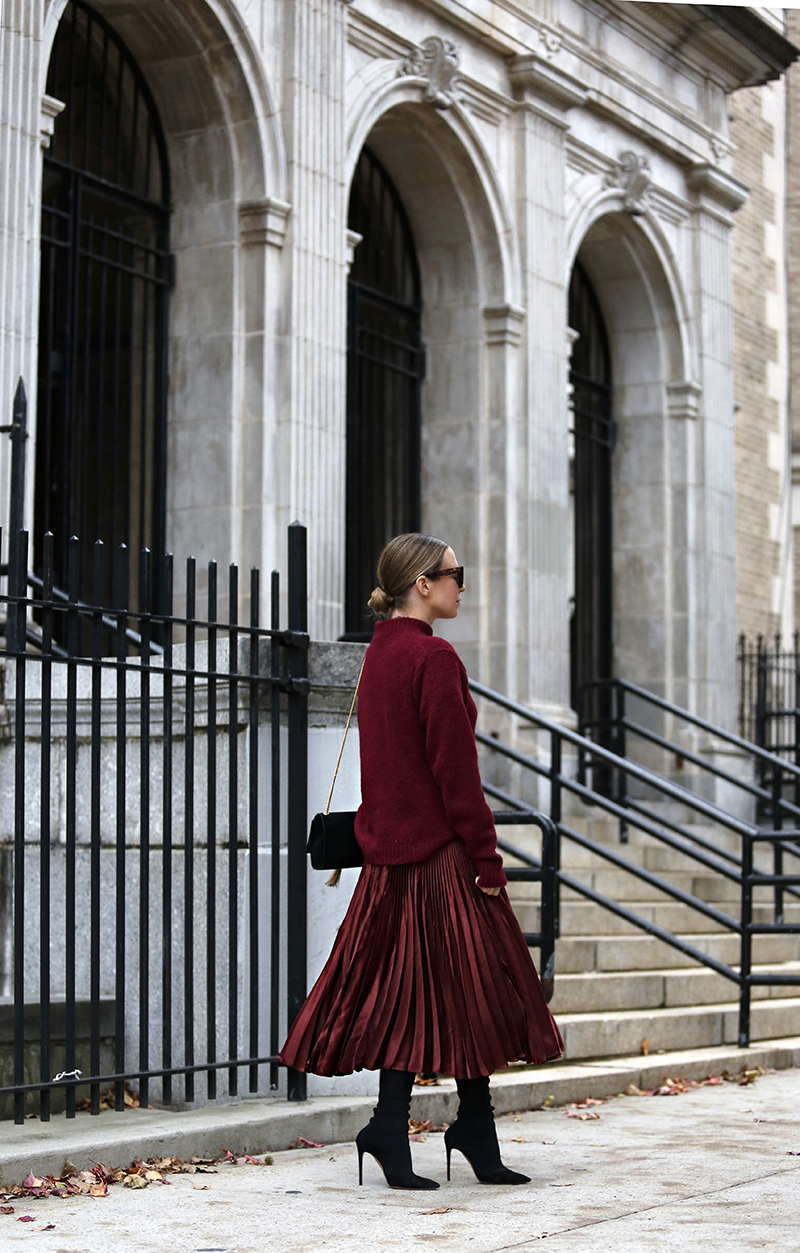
643,953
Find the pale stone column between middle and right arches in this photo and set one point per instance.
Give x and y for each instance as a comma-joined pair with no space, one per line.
545,95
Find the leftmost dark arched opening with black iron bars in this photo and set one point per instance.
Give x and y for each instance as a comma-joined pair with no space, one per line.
101,425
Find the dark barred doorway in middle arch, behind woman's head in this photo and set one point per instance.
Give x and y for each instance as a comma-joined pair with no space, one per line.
386,368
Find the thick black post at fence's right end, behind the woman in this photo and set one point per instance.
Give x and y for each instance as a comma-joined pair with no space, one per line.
297,902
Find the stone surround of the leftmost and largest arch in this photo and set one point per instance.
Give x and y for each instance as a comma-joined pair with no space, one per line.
229,187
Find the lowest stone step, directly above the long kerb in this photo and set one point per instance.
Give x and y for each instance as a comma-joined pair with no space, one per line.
614,1033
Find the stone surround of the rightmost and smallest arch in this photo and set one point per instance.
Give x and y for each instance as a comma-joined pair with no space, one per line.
656,403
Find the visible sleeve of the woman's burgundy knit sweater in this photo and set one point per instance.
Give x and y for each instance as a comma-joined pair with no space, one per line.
453,759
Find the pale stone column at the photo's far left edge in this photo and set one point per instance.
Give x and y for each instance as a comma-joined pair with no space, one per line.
26,128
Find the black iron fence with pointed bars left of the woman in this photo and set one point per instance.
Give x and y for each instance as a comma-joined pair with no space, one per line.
152,836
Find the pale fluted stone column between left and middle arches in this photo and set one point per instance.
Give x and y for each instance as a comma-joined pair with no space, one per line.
312,412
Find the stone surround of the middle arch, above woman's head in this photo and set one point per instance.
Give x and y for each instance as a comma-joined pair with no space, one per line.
472,321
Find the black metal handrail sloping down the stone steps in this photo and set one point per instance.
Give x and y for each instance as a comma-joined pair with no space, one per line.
737,869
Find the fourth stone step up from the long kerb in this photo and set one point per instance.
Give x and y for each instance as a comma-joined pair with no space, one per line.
585,918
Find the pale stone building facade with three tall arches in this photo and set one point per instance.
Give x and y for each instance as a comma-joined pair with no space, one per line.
521,153
